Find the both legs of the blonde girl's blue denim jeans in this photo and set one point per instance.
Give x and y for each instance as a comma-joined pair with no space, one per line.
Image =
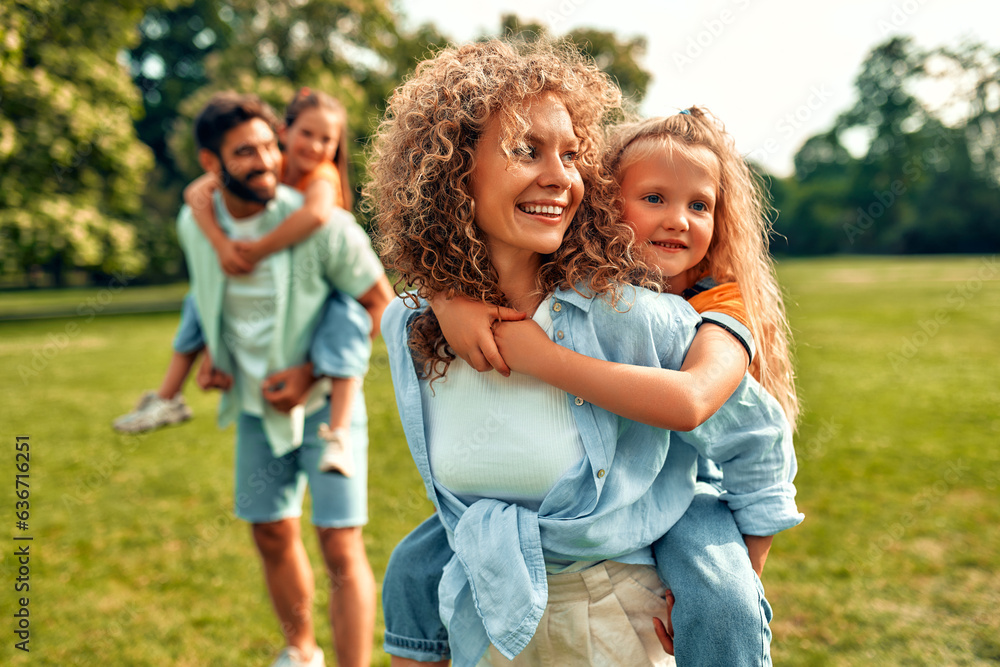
720,615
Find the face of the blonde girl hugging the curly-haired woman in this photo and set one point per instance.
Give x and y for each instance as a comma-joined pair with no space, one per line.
669,200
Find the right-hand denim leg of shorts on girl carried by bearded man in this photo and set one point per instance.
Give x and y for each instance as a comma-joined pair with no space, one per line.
342,344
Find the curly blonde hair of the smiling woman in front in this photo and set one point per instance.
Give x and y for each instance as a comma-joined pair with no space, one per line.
423,156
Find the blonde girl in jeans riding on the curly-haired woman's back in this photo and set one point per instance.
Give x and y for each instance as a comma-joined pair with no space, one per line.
698,211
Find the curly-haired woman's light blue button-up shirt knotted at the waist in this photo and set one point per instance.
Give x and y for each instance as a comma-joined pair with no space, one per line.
633,484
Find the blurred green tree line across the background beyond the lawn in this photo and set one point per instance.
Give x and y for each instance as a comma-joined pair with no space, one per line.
97,99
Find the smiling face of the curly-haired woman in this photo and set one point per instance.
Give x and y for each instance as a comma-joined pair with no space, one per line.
525,205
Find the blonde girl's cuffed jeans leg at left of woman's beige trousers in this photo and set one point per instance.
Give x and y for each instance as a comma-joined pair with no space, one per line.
413,627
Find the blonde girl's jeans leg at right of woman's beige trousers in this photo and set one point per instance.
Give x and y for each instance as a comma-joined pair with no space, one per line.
720,615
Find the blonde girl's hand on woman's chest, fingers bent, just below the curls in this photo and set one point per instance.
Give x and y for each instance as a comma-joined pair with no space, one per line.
467,325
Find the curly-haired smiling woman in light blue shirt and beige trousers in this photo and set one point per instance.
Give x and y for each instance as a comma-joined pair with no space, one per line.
486,183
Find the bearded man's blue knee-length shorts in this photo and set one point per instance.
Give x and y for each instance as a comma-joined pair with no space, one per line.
270,488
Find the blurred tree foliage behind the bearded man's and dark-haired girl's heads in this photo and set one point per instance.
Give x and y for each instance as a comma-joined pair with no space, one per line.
353,50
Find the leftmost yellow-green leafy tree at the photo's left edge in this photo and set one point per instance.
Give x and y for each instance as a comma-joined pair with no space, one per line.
71,166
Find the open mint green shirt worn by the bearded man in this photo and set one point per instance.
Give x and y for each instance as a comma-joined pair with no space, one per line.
337,256
